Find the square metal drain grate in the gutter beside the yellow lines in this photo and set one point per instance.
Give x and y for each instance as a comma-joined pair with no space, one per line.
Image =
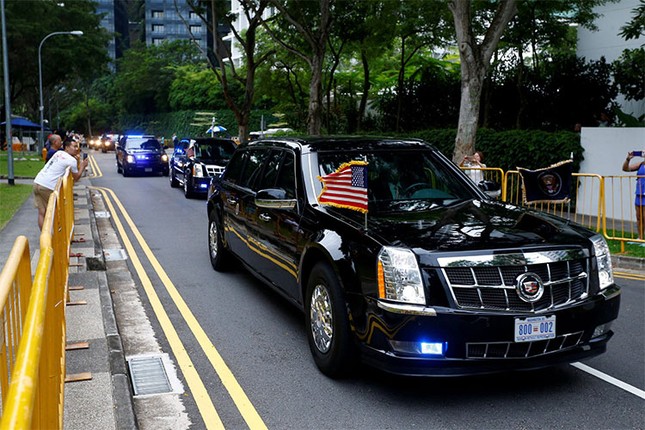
149,375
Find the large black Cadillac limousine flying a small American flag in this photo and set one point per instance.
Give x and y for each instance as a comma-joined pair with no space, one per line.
436,278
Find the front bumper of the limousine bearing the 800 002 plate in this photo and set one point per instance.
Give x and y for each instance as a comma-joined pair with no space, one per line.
482,342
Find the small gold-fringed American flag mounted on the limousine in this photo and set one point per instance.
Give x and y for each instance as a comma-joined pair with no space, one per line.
346,187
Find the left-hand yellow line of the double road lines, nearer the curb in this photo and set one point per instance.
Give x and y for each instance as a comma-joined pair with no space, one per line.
200,394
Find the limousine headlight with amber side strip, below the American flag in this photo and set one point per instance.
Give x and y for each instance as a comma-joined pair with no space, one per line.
399,277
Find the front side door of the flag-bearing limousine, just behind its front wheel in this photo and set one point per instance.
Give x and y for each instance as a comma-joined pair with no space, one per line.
274,233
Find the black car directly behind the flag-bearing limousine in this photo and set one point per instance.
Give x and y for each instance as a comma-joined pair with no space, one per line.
195,161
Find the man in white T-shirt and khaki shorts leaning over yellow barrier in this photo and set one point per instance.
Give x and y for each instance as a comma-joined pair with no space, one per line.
46,179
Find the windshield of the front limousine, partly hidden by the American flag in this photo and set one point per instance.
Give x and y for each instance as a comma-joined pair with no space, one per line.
403,180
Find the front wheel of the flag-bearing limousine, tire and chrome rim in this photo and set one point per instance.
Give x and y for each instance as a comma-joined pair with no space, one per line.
327,324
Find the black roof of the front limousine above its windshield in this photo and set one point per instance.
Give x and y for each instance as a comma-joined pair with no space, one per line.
339,143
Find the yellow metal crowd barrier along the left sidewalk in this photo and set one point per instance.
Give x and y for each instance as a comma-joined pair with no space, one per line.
32,354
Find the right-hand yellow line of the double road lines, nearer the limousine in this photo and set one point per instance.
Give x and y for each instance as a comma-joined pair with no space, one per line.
239,397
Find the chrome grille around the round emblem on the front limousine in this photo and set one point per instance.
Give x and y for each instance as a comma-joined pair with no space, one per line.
493,288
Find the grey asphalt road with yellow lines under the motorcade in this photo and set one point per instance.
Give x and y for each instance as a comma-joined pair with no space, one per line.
249,350
